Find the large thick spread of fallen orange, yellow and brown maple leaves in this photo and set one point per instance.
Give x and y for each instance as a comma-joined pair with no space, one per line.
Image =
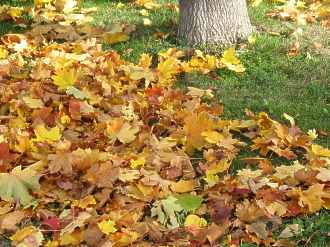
99,151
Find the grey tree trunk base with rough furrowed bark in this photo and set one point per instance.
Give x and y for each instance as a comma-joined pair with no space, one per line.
214,21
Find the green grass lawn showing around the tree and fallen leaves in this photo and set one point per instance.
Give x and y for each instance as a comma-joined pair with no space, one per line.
273,82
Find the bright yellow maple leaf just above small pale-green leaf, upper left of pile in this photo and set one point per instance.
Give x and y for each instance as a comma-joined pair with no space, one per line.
65,78
